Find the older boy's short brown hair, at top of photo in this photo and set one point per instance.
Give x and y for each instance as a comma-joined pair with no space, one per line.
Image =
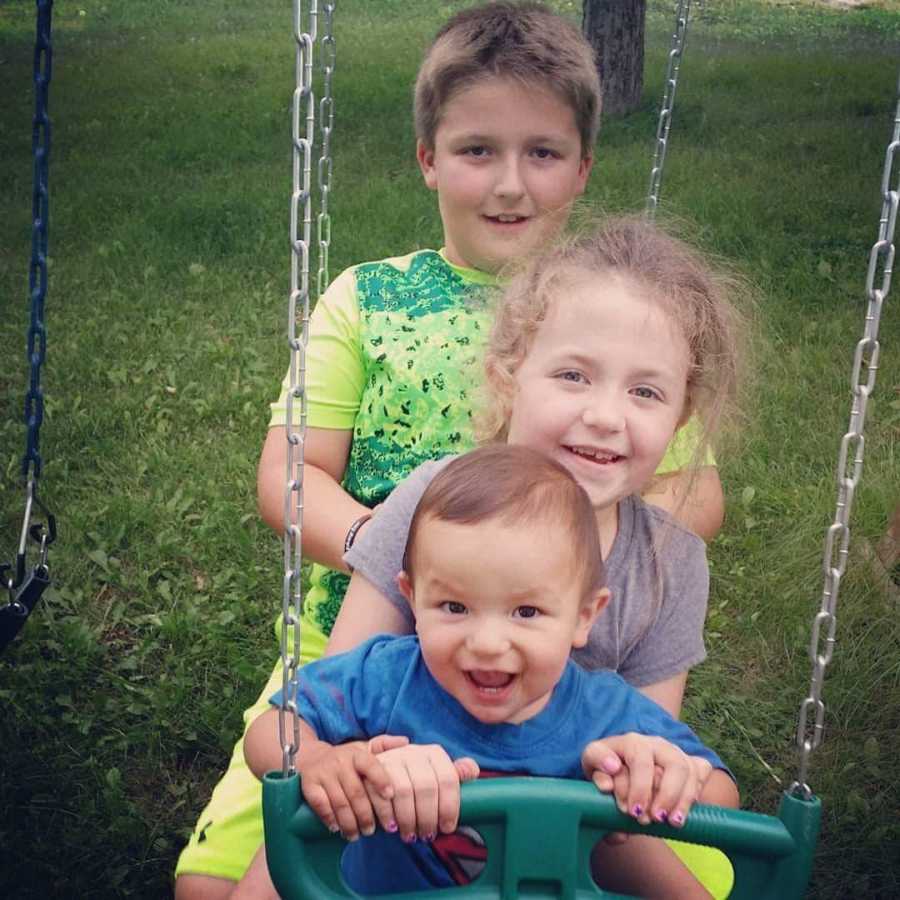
525,41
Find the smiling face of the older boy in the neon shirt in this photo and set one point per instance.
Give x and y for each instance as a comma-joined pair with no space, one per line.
507,164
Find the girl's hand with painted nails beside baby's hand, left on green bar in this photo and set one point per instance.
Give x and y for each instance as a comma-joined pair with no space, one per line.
425,785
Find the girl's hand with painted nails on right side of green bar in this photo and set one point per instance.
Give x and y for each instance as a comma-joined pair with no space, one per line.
652,779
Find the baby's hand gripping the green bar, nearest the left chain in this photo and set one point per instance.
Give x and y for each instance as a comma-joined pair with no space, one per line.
337,782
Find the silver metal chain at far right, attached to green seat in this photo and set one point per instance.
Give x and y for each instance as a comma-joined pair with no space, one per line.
810,728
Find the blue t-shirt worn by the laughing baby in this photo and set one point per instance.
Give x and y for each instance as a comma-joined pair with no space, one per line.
384,687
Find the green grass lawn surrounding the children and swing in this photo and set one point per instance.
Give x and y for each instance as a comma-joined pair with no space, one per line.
170,176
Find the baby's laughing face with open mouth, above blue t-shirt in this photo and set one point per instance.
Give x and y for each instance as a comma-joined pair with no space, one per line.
498,609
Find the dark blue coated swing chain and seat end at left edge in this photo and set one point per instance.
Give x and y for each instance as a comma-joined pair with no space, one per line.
24,588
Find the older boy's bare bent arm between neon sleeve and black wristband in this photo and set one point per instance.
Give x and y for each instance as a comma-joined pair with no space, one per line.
329,510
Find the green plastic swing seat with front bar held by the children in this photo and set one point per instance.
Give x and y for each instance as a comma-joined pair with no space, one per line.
539,833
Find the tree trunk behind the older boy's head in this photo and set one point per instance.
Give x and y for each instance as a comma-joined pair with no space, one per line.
615,29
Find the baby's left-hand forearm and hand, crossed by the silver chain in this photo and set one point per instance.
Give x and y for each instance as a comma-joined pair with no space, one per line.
346,786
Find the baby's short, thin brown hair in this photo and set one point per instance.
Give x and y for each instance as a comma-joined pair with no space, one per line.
514,485
